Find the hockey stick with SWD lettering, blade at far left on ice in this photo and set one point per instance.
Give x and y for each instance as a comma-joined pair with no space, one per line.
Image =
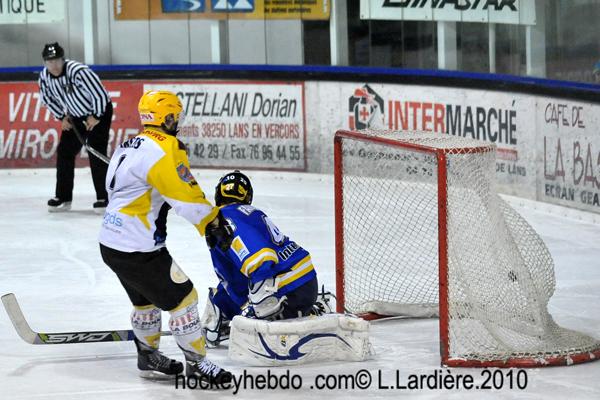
30,336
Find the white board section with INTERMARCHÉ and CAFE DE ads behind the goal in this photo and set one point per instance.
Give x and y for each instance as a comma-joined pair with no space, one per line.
548,148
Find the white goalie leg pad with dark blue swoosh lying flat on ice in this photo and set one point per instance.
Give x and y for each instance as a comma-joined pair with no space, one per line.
328,337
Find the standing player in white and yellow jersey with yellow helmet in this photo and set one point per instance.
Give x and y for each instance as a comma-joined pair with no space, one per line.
148,175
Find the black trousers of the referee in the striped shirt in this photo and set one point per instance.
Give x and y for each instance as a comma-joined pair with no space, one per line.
68,148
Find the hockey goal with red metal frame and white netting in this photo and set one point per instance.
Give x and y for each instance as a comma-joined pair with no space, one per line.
421,231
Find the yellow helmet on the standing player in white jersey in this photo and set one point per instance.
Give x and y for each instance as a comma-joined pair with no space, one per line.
156,105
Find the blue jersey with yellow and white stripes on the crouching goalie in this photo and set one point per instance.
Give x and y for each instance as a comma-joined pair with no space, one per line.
259,251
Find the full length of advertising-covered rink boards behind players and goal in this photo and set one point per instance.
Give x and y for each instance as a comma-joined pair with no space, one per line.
548,148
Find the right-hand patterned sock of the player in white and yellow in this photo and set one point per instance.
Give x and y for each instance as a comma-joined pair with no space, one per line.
186,328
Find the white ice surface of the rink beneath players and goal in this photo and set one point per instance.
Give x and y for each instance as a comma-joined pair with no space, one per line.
52,263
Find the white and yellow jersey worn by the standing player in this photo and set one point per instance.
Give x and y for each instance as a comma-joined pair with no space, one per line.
147,175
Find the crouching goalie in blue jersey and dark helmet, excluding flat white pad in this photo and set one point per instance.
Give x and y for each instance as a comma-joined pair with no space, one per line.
263,274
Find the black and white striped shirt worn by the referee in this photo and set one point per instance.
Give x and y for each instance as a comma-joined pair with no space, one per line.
77,91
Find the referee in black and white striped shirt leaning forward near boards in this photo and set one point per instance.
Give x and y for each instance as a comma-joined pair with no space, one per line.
75,96
